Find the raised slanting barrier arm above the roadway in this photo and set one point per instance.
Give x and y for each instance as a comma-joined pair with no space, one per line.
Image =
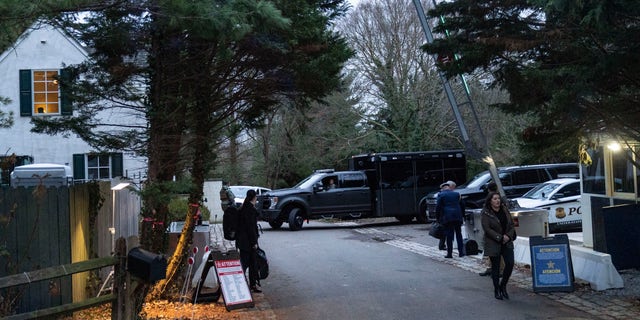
471,150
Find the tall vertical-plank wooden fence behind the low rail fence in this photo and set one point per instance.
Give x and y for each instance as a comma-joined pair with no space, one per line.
47,227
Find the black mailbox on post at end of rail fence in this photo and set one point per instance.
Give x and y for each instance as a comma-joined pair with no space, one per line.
146,265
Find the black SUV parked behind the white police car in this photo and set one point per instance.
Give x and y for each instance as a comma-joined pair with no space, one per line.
516,181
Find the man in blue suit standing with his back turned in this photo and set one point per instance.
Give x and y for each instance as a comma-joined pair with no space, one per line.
450,209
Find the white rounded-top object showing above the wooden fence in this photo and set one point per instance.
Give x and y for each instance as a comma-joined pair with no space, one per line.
47,174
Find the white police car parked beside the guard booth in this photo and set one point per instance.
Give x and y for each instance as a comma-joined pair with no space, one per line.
561,197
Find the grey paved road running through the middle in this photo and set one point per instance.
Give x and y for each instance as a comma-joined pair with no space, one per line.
385,271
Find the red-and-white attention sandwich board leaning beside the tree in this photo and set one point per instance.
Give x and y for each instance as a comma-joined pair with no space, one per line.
233,282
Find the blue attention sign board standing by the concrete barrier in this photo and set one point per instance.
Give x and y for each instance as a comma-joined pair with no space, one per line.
551,266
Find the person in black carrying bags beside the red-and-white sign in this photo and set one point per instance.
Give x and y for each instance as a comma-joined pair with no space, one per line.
247,238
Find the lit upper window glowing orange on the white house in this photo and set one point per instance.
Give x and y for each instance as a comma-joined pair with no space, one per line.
46,92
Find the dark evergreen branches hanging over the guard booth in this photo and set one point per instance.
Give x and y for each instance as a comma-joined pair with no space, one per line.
573,64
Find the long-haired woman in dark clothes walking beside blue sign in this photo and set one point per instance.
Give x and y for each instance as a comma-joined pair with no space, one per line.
499,233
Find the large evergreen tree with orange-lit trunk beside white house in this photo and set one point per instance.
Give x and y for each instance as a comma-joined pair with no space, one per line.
188,69
